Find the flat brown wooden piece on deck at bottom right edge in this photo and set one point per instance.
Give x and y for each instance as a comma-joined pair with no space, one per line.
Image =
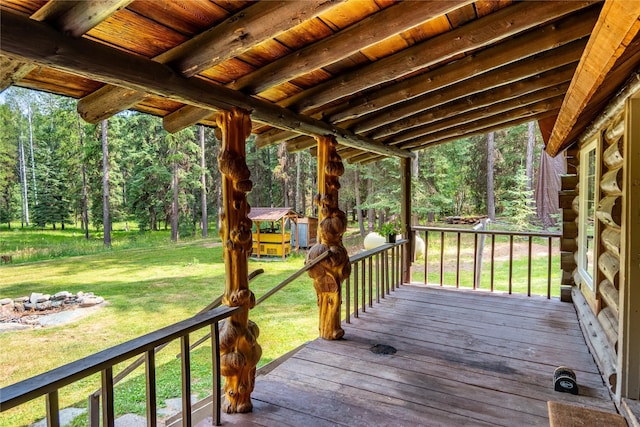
566,415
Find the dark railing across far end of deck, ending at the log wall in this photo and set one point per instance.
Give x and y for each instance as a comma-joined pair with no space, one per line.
439,237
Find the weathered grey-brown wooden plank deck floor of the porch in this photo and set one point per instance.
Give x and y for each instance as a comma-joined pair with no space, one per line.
463,359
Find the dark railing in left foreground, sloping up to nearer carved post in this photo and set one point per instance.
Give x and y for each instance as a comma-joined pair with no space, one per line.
103,362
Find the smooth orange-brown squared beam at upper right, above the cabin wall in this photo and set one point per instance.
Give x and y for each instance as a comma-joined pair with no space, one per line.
618,25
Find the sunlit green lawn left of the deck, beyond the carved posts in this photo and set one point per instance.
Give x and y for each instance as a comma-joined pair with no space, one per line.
146,288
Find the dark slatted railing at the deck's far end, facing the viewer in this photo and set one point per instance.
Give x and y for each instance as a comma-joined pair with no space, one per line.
479,237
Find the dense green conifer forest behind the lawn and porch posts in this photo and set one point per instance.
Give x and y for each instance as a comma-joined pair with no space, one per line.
55,169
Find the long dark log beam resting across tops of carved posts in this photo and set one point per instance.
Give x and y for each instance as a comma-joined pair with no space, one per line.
25,39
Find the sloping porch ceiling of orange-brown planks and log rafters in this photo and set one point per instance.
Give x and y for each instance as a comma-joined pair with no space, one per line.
385,77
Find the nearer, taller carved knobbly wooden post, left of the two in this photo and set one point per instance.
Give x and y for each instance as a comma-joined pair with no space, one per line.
239,350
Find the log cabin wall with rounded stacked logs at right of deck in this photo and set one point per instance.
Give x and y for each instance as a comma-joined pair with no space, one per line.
599,301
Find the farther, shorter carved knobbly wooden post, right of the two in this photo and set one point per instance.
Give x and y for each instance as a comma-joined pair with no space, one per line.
332,223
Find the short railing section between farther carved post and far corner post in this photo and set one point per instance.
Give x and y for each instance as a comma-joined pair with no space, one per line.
374,273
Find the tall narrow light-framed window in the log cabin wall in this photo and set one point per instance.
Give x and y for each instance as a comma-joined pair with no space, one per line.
587,219
